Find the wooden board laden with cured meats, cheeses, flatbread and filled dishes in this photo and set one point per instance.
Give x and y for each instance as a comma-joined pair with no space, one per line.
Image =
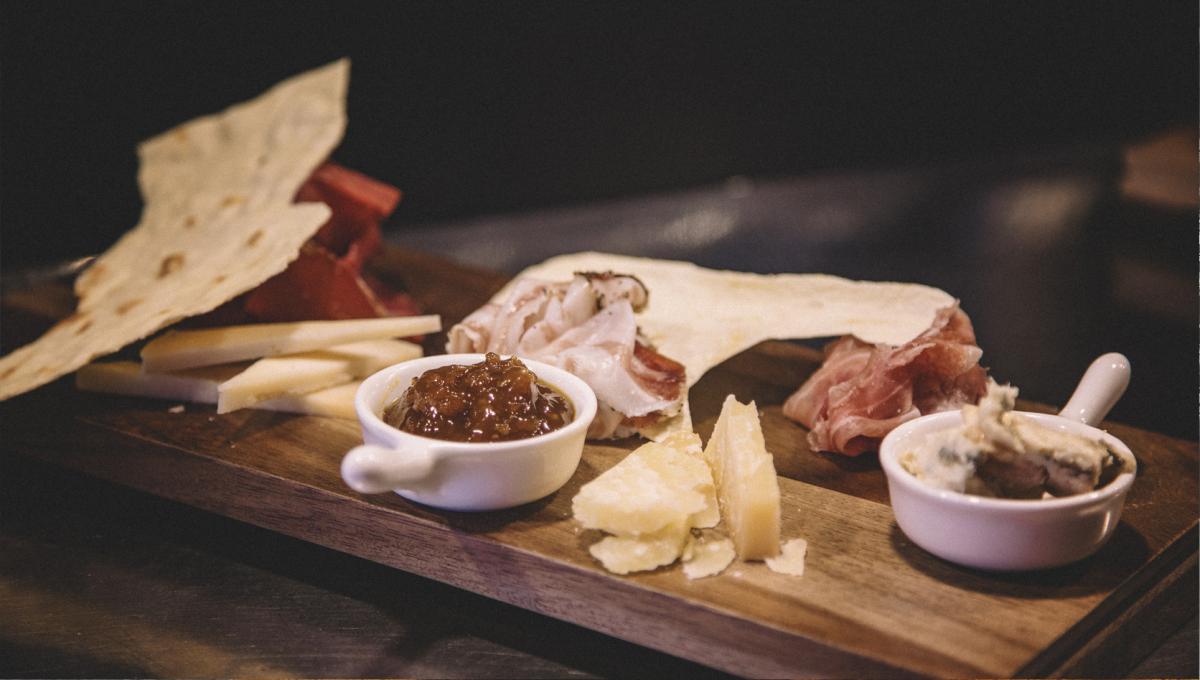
749,516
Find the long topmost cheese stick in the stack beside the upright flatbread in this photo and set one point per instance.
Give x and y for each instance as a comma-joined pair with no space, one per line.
206,347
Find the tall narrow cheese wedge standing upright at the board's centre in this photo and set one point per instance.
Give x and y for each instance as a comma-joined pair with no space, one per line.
746,480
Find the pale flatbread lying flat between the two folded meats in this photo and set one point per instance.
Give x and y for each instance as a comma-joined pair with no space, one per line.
701,317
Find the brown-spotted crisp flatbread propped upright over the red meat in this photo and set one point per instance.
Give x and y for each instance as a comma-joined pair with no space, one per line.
219,220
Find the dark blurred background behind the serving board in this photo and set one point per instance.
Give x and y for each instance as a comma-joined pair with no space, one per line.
1036,160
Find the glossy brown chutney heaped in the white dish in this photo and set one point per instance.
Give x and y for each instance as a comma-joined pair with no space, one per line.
497,400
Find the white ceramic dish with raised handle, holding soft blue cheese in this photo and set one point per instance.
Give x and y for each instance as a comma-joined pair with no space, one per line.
1007,534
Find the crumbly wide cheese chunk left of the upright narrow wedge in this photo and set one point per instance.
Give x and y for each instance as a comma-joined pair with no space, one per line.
658,485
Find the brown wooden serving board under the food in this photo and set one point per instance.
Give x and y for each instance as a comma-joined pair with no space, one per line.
871,604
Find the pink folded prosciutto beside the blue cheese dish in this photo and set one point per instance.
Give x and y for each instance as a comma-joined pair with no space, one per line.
863,392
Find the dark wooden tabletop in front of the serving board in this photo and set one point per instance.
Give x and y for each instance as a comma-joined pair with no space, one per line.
101,581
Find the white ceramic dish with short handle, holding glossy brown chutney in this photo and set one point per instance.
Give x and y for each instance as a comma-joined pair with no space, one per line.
457,476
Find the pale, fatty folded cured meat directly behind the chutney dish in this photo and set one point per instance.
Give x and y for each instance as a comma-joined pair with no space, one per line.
586,327
